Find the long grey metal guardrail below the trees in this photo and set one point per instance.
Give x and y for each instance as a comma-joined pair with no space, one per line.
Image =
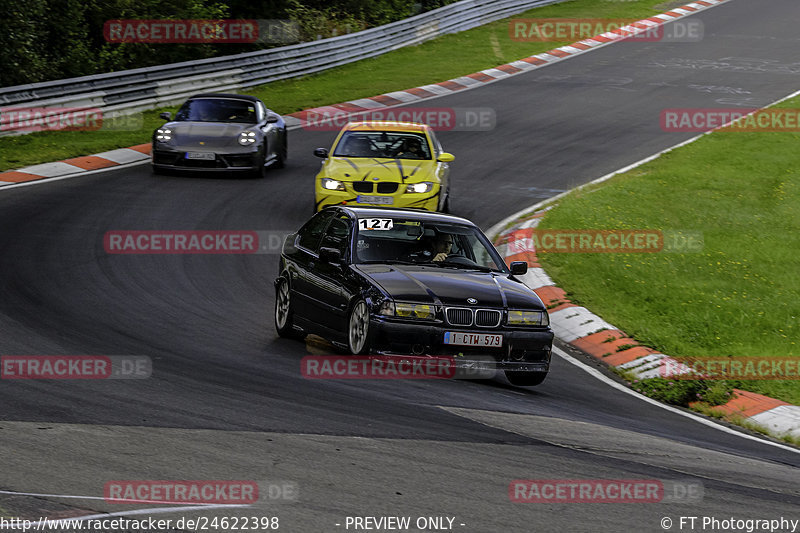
135,90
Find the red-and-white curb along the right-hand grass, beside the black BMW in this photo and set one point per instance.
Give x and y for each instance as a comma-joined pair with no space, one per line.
591,334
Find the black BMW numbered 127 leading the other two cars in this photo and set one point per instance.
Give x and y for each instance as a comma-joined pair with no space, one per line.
391,281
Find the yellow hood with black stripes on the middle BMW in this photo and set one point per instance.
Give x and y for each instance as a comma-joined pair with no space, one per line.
384,169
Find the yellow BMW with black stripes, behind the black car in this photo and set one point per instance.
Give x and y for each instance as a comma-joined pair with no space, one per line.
388,164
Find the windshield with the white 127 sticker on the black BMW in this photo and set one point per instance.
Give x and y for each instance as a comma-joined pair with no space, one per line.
445,245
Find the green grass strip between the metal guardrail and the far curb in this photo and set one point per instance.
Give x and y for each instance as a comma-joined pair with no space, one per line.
441,59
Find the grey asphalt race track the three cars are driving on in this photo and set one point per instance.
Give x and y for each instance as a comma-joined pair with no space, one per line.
226,399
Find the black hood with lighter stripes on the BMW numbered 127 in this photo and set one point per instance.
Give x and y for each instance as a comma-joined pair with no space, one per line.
447,286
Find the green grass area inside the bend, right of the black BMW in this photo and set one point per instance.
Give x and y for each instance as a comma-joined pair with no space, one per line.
740,294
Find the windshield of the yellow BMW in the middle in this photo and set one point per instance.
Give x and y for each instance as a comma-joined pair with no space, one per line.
382,144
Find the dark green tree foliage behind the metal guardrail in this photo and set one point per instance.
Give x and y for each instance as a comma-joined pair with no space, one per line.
45,40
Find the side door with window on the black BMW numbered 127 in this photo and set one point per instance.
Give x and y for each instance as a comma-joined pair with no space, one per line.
327,281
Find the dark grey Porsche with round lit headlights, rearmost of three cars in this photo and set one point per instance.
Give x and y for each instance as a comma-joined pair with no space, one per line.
220,132
